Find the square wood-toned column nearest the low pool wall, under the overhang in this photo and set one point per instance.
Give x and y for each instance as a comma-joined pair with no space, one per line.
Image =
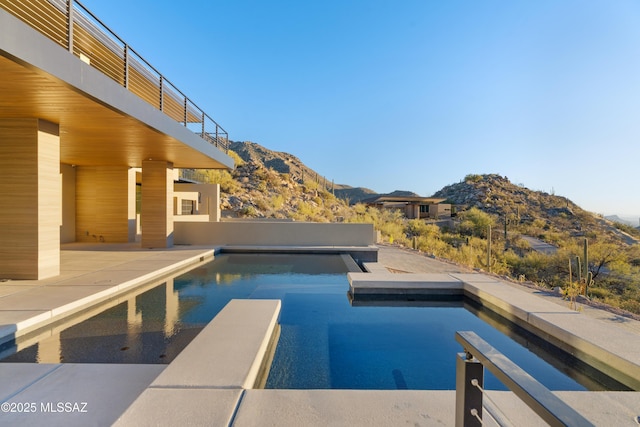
157,204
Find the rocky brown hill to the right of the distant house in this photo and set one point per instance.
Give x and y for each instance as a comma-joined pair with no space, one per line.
496,195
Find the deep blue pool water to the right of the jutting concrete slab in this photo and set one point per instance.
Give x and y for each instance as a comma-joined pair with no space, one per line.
326,343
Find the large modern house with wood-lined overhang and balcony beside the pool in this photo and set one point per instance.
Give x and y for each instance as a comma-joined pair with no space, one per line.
86,123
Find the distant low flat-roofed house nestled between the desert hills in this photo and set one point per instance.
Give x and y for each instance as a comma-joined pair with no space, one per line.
413,207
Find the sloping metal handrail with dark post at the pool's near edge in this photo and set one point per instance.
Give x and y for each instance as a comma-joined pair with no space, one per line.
548,406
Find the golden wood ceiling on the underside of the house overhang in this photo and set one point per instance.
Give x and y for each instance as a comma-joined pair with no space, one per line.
90,133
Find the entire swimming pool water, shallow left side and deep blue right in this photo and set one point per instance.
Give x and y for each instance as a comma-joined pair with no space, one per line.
325,342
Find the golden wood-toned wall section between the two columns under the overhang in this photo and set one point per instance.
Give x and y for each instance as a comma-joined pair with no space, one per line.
105,199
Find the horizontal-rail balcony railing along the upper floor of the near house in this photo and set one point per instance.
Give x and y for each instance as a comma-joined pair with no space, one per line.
75,28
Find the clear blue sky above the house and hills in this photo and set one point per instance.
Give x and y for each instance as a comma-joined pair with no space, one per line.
414,94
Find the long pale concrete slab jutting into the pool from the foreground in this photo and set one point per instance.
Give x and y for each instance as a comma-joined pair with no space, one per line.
203,385
